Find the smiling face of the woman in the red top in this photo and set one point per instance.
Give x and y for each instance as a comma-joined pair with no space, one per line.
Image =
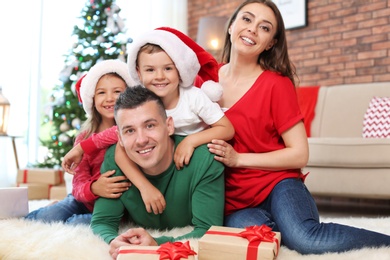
253,30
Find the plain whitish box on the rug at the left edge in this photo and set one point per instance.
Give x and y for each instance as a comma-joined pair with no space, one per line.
14,202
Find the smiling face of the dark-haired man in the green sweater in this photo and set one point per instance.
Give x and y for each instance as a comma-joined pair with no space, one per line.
145,135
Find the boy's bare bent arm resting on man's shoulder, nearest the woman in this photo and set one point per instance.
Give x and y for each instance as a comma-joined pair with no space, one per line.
222,130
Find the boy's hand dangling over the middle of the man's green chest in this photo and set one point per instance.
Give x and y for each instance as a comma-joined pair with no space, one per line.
153,199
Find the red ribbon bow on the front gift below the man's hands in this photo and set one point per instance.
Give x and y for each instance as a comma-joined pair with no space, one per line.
175,250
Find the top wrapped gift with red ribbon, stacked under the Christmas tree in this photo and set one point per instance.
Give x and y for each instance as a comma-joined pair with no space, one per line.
40,175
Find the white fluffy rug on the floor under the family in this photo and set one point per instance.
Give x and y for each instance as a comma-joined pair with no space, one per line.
20,239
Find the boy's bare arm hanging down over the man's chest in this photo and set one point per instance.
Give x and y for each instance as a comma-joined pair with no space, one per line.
152,197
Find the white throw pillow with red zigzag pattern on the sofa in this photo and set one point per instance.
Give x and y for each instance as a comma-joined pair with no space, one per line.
376,122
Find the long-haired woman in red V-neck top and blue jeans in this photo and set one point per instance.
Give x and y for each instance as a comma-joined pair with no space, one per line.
264,182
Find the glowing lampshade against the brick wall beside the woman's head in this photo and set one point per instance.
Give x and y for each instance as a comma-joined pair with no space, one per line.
211,33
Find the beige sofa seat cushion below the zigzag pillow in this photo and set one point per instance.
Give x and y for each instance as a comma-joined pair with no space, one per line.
349,152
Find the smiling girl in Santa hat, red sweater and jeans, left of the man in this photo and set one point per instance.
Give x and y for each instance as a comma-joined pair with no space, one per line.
98,92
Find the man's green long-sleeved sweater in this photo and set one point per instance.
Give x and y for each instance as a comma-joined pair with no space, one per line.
194,196
